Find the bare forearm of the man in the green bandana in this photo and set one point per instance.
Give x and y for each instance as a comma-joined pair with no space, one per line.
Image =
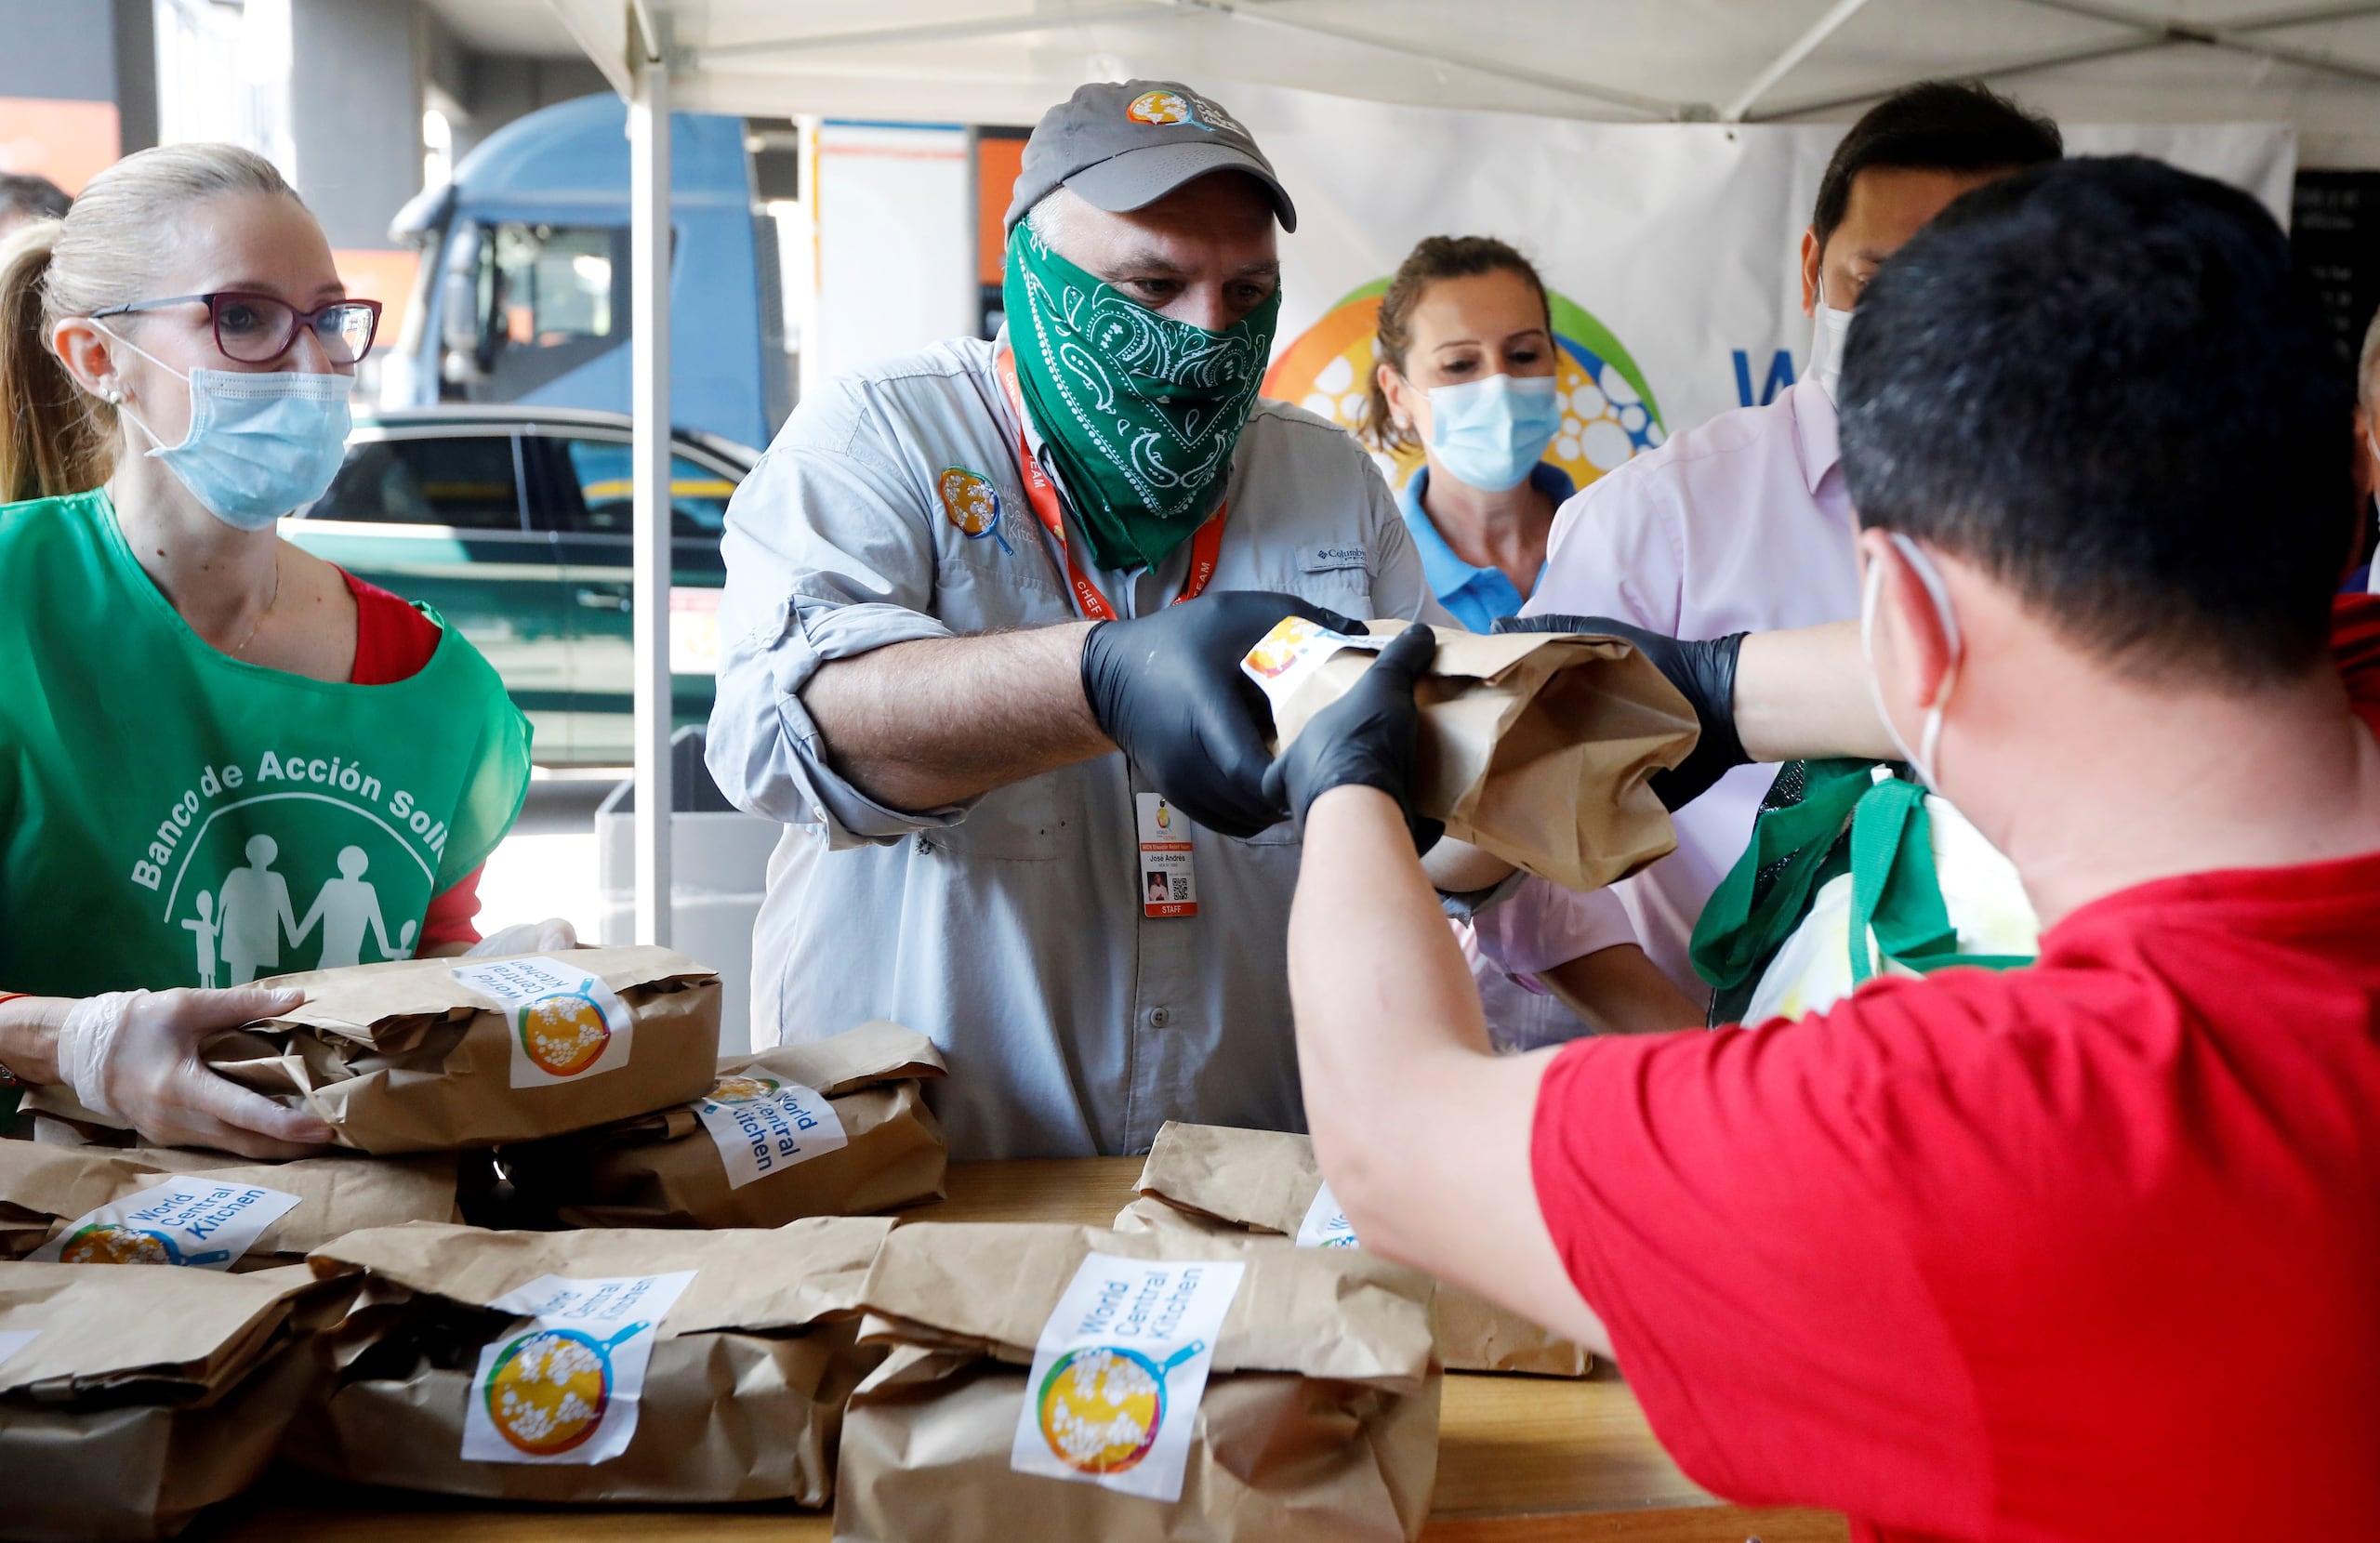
932,723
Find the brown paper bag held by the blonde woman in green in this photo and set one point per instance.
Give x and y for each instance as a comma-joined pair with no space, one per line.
406,1058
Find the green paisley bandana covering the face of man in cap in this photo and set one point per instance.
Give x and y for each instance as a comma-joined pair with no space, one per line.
1141,413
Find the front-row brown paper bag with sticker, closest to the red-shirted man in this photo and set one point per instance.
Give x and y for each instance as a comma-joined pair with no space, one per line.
1067,1382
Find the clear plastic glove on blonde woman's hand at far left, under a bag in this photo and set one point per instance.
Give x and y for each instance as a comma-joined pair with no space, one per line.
134,1056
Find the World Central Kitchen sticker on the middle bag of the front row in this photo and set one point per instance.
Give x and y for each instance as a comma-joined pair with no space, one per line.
563,1387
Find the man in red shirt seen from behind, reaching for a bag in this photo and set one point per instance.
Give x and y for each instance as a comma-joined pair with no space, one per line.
2081,1251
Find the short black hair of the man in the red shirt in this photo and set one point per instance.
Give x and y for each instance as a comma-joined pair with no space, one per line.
2105,385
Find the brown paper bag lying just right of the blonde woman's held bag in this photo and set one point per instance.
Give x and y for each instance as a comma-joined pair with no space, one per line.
725,1161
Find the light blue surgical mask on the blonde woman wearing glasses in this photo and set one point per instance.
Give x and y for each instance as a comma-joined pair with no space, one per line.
261,444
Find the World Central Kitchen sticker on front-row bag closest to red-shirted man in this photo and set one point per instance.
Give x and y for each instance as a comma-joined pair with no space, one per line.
1120,1373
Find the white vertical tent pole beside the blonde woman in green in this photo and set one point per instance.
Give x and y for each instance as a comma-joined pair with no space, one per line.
649,408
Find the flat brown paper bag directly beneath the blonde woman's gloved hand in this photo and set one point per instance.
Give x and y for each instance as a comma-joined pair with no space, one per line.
49,1187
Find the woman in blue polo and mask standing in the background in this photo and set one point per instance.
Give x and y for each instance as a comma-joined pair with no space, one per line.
1467,373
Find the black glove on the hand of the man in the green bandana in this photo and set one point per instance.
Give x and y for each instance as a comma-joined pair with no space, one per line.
1172,694
